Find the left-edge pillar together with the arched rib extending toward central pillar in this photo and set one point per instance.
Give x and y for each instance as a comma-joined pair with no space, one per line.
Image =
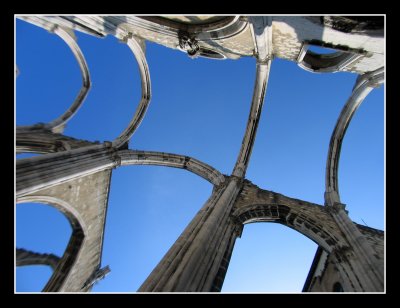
40,172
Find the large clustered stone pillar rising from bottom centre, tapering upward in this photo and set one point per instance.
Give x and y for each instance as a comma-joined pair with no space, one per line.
198,260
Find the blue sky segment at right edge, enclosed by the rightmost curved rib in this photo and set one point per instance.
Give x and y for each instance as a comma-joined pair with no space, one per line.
361,161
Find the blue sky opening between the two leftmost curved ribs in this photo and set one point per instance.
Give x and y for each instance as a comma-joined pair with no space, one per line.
116,92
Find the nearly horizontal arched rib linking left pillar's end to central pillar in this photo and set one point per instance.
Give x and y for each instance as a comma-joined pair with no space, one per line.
133,157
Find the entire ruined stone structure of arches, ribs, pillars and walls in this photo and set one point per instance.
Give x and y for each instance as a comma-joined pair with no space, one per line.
74,175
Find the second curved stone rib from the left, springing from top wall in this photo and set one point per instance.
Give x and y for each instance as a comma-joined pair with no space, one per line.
135,45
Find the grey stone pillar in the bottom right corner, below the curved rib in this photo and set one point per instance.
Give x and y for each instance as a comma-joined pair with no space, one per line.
357,264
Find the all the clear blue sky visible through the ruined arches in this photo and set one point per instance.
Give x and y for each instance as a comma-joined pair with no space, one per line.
199,108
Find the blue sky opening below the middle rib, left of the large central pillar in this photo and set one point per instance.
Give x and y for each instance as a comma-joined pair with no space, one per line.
138,233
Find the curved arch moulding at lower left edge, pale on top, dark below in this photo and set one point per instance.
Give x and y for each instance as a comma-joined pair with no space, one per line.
74,245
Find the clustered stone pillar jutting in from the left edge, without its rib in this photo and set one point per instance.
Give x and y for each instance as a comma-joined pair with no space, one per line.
40,172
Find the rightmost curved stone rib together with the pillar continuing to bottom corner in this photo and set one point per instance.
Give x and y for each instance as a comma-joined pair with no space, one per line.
358,265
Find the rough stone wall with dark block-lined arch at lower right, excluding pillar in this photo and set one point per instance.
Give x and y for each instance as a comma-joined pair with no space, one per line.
333,268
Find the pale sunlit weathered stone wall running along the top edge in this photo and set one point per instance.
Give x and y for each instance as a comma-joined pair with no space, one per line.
288,35
